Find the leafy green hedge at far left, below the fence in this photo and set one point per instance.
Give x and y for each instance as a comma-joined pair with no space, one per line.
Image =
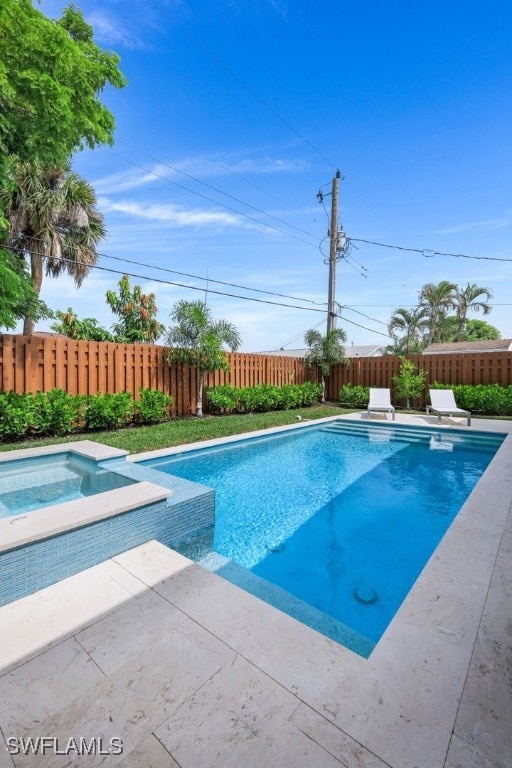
58,413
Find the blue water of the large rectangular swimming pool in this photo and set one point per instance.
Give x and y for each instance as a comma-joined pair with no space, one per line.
333,523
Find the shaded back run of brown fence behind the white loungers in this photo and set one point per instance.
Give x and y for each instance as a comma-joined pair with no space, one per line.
458,368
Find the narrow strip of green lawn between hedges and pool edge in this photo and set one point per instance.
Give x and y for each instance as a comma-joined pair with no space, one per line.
181,431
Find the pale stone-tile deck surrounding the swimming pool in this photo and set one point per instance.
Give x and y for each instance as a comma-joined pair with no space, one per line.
190,671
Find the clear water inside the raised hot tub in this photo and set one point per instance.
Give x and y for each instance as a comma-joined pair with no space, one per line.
29,484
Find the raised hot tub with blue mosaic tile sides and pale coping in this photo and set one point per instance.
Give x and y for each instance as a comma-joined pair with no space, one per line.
64,508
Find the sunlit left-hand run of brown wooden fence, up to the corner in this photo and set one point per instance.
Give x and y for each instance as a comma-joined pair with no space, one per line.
32,363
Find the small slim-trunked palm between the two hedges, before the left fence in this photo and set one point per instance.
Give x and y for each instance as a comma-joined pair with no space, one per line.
198,340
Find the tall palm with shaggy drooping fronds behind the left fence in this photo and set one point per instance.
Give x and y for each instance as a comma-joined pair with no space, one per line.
54,222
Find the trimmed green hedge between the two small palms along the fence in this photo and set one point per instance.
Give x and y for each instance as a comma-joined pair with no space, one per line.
262,397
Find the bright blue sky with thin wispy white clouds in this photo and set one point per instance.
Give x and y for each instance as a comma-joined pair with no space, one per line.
263,100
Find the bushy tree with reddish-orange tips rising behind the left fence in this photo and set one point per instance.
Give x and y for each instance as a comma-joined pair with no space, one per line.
136,312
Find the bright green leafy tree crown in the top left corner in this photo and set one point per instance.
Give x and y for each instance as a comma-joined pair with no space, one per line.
51,75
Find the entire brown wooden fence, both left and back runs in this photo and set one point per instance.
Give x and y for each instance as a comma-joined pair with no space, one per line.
28,364
